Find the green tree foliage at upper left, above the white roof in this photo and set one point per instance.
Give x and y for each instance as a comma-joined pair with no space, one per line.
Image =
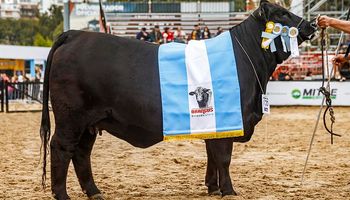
38,31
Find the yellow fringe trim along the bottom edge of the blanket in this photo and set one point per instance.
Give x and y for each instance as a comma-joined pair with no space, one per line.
211,135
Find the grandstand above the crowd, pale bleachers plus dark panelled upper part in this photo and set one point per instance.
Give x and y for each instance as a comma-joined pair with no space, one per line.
174,14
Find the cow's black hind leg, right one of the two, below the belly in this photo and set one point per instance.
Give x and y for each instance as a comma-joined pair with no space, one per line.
82,165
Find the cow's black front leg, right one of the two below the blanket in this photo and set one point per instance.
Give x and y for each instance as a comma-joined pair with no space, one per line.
221,151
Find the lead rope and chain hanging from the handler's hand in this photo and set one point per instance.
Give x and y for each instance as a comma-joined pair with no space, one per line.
327,98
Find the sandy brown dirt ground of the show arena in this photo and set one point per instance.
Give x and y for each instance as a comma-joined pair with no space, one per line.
268,167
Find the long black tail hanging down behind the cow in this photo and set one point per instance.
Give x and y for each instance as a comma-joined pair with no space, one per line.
45,117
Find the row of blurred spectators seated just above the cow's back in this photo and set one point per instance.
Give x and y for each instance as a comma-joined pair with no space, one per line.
175,35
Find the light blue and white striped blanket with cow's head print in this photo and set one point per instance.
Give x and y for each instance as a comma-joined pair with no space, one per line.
200,89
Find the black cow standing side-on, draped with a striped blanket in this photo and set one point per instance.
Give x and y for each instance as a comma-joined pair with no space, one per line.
102,82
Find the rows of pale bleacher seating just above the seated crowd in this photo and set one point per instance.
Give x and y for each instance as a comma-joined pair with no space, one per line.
129,24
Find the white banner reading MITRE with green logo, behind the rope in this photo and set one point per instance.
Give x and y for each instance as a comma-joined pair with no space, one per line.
306,93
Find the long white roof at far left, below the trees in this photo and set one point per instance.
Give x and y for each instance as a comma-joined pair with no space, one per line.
23,52
